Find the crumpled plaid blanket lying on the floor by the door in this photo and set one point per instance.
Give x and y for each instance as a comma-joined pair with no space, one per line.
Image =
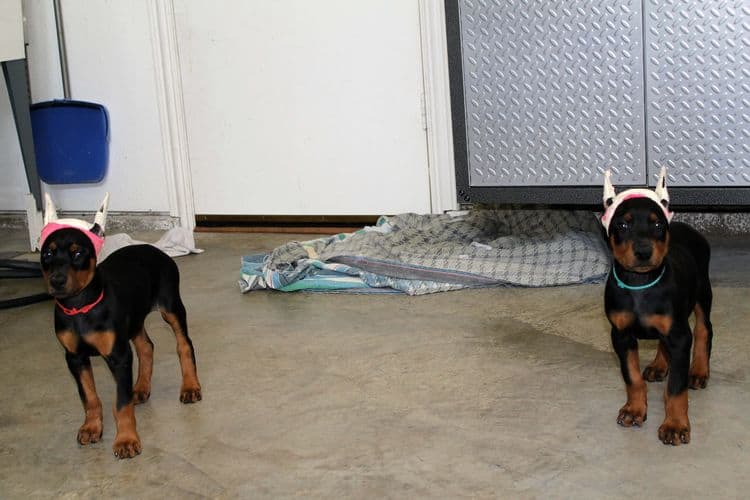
419,254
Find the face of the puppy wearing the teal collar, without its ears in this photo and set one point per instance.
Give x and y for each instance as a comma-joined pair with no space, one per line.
639,235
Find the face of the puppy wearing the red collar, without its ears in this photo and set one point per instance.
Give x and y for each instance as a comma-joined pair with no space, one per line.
68,259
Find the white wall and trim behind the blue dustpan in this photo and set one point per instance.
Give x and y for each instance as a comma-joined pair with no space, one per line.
111,62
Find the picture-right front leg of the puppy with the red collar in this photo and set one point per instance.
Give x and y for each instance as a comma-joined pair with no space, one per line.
127,442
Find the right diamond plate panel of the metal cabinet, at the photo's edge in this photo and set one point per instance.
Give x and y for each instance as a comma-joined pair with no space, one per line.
698,99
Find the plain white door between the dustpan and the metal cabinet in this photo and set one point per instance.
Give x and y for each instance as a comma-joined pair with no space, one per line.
302,107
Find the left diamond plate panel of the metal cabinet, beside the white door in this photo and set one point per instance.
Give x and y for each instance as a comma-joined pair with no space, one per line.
553,91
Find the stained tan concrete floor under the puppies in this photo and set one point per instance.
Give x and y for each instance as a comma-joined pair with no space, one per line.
495,393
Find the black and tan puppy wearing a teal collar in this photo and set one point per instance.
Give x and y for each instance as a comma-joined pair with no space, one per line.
659,277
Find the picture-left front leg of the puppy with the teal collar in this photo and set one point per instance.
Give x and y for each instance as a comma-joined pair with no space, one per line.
634,412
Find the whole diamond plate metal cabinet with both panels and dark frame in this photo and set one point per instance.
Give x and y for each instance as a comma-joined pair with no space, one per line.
547,95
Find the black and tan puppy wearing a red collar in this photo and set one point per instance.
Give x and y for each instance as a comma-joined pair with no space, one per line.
101,309
